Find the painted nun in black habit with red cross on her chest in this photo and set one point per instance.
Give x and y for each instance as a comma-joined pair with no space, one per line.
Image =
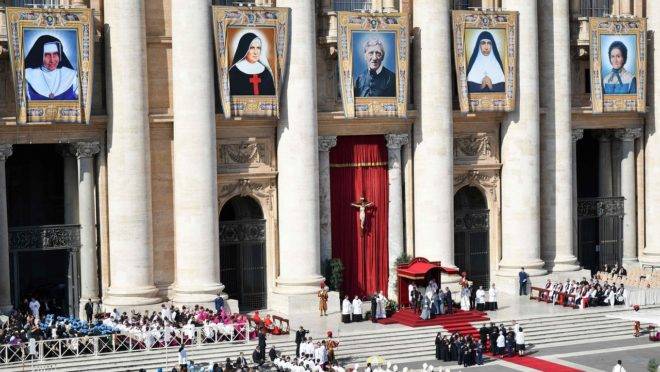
250,73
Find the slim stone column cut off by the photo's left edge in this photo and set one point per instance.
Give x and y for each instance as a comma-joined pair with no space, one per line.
5,277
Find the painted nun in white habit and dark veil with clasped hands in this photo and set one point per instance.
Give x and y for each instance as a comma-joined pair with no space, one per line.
485,72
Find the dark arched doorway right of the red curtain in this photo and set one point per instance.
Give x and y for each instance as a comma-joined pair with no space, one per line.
471,228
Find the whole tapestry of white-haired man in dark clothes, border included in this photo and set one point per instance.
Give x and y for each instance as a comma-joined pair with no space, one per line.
374,55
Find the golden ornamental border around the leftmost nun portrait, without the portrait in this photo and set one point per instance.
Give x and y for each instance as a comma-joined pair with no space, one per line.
79,19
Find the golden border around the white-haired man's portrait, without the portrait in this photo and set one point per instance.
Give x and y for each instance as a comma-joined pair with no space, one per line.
398,24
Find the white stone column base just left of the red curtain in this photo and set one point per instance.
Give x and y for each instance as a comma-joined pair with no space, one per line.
302,303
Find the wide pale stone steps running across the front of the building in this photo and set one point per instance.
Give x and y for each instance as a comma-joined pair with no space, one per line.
394,343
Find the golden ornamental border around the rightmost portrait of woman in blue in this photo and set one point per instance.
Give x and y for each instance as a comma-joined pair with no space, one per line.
601,102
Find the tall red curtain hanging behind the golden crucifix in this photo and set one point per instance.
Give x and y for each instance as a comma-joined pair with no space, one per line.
358,168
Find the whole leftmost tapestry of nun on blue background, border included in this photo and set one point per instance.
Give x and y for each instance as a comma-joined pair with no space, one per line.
52,58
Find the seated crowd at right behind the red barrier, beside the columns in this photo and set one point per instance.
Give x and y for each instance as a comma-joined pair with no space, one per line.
581,294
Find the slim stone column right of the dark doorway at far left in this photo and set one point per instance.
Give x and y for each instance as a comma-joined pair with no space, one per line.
89,280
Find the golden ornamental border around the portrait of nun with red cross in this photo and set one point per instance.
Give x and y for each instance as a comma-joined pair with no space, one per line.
275,18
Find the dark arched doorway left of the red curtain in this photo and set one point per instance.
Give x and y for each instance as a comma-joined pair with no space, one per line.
243,252
